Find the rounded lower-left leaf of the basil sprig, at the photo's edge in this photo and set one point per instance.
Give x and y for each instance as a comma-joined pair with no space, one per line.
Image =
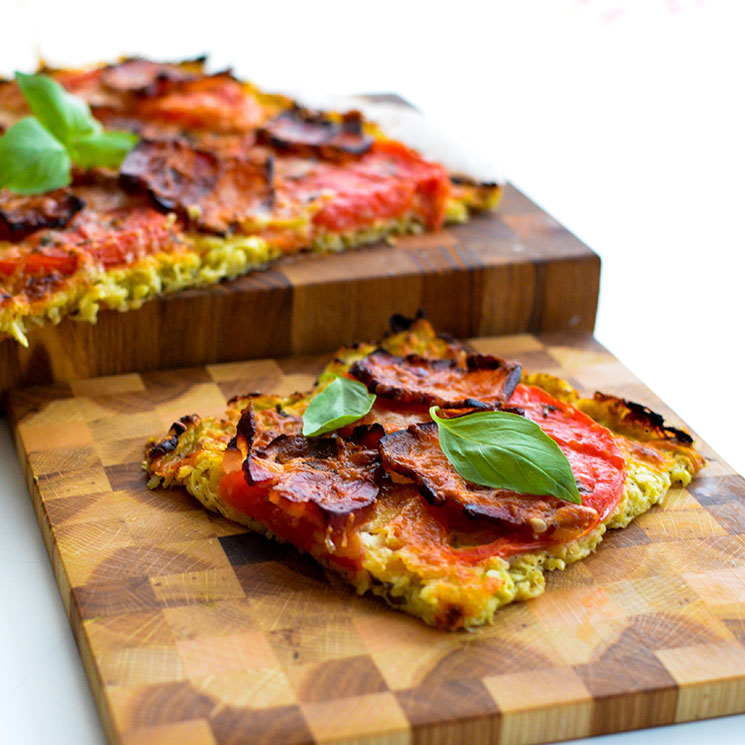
31,160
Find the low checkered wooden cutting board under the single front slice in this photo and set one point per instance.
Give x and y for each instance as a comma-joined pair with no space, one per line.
193,631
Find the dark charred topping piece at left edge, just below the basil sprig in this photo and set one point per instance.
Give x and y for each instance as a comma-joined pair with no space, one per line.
22,215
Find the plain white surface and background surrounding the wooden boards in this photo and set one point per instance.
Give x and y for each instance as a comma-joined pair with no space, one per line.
622,119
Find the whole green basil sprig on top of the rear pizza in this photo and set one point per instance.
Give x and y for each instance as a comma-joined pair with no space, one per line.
37,153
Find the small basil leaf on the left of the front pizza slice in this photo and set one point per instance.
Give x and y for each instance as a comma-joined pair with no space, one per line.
341,402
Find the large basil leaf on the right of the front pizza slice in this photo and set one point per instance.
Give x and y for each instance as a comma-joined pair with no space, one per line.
506,451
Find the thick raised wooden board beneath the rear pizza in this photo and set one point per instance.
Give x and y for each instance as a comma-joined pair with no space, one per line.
513,271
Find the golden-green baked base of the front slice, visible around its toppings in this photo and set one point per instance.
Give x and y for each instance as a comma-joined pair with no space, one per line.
448,597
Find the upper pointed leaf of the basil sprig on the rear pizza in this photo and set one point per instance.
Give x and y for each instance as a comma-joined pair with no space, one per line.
66,116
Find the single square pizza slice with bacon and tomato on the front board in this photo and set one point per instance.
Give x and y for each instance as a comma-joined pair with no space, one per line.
377,499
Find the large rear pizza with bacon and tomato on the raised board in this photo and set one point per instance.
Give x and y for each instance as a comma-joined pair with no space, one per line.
223,180
